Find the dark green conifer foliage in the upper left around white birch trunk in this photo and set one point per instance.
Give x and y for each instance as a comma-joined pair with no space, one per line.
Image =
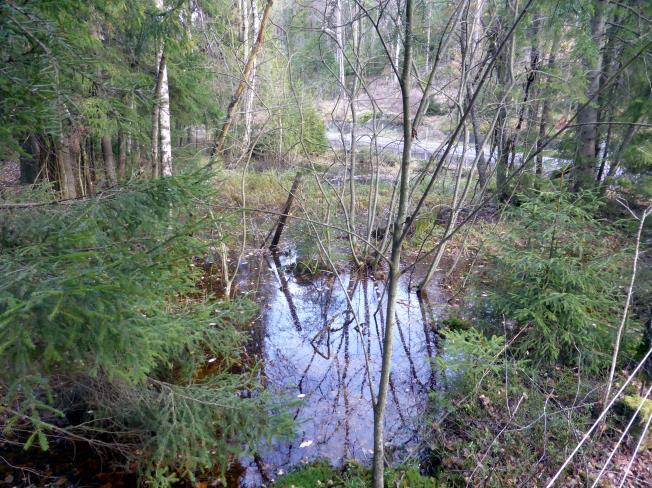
90,67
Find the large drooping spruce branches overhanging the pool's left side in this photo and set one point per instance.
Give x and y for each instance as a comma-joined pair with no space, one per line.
98,323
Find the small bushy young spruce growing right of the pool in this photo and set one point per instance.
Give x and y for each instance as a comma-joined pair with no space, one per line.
557,274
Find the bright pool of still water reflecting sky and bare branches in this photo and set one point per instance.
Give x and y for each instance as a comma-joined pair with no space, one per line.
312,345
